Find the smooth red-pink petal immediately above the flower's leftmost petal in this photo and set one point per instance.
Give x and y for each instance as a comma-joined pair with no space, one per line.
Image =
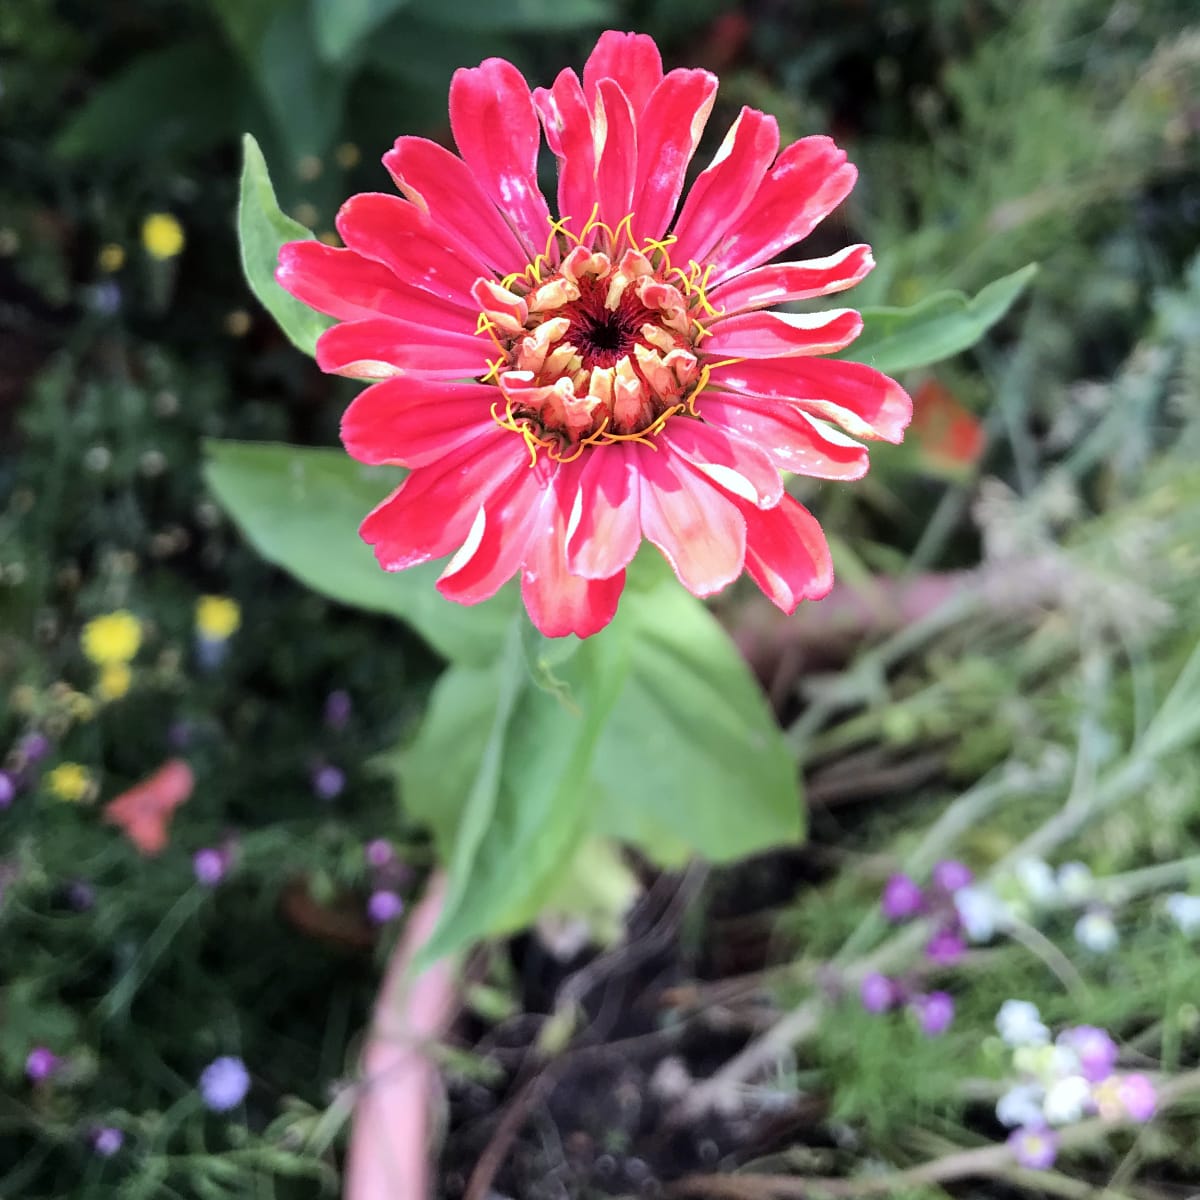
398,235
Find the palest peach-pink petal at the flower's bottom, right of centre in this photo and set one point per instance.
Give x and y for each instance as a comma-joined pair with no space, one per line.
701,532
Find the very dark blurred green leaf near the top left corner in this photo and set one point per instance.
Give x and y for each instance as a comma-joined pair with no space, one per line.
161,104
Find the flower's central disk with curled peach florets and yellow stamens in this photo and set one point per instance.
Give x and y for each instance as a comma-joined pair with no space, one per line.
595,346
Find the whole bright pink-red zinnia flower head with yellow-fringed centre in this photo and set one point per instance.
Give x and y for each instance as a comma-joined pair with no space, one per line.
565,386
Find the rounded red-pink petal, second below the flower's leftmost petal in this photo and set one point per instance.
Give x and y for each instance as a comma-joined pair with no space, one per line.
415,422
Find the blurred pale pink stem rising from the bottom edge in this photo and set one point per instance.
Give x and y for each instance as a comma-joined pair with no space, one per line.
391,1155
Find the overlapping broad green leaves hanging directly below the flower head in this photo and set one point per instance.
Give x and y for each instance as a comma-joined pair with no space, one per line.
656,735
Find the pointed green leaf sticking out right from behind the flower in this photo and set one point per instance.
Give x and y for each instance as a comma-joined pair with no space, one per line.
896,340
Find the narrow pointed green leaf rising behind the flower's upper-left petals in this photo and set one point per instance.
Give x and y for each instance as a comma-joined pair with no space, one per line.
262,230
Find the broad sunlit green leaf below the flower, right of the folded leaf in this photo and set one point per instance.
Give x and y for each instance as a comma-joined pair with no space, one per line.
692,760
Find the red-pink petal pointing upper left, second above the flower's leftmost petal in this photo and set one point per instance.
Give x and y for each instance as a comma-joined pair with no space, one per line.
442,185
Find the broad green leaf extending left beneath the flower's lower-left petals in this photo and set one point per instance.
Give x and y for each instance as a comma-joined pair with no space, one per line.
302,509
